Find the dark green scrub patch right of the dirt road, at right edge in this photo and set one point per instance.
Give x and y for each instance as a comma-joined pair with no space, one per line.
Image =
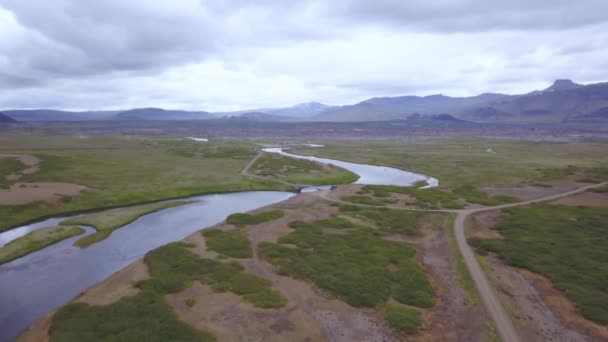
566,244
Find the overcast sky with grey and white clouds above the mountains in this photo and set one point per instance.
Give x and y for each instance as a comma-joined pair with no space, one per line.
234,54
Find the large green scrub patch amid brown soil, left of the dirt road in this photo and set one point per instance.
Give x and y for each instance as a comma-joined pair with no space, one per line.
359,267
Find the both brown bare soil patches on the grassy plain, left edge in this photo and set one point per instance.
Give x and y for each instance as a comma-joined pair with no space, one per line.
27,192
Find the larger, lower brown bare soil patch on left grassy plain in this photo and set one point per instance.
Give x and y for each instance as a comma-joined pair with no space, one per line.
24,193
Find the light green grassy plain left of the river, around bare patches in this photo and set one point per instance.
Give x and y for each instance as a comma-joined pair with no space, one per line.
126,170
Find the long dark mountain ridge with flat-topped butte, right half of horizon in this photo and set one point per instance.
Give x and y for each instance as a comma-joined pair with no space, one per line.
563,101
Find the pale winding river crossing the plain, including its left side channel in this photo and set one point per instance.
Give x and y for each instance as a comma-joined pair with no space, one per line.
43,281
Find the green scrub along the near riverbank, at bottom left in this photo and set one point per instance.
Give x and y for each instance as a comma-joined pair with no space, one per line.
146,316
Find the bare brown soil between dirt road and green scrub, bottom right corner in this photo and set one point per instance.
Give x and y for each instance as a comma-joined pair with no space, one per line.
541,312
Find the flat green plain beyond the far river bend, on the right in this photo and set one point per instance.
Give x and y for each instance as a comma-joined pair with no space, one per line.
464,161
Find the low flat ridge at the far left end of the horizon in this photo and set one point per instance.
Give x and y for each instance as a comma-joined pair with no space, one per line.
58,115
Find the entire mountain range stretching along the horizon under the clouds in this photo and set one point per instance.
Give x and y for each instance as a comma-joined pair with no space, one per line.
563,101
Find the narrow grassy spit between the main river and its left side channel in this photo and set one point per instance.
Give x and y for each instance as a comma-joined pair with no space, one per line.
108,221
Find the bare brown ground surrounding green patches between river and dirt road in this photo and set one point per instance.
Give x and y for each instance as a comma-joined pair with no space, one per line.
311,314
